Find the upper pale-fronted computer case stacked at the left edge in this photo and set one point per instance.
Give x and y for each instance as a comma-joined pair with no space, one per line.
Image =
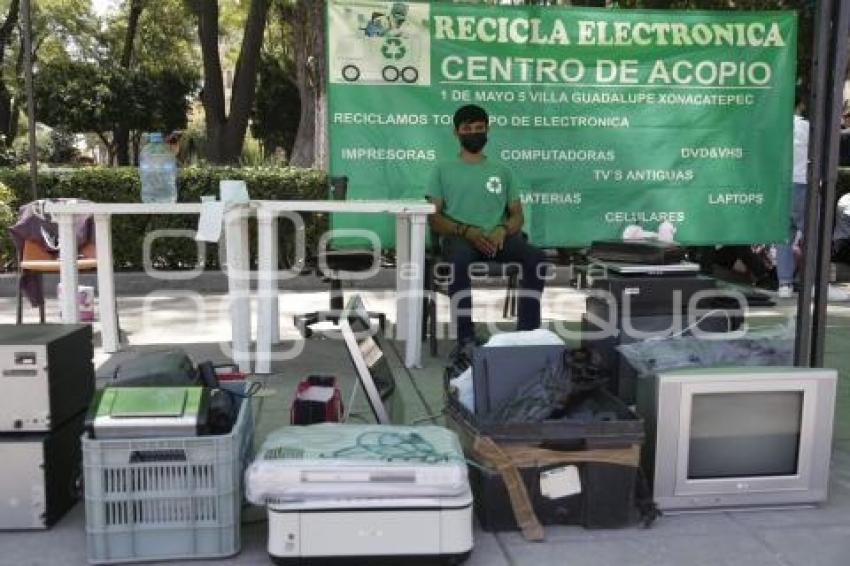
46,374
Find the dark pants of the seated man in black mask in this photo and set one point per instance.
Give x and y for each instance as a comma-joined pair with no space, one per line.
459,254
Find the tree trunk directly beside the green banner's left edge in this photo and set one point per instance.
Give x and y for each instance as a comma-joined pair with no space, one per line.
310,145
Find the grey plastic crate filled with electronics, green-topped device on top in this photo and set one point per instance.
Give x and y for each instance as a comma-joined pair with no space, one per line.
164,456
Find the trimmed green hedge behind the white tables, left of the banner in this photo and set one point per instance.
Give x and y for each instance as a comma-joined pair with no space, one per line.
122,184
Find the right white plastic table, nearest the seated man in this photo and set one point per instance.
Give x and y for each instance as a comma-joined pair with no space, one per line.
411,222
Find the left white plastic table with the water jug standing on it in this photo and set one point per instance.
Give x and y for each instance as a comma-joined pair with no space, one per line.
238,272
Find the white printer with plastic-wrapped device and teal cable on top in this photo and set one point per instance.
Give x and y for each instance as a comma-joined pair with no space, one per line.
365,493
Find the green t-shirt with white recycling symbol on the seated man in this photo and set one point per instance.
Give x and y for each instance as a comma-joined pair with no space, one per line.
474,193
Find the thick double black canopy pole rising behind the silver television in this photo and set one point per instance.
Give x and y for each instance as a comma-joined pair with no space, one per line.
826,101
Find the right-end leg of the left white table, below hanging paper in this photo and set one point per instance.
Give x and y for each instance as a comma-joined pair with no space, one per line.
239,285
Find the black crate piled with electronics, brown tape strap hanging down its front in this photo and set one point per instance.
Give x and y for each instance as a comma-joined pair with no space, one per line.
574,445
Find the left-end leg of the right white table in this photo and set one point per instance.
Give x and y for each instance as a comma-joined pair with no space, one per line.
267,302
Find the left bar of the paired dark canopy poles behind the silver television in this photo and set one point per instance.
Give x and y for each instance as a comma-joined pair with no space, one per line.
817,110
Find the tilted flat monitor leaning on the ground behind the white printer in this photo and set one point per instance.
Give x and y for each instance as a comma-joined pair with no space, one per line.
370,363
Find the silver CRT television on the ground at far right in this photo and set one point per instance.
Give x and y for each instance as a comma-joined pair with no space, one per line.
738,437
